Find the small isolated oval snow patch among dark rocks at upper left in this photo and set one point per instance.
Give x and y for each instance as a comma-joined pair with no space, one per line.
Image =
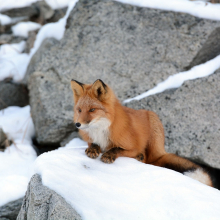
22,28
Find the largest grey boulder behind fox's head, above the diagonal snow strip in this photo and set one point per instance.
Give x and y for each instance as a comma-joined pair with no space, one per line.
130,48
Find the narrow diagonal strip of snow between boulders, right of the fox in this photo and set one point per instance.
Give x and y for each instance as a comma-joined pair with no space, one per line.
178,79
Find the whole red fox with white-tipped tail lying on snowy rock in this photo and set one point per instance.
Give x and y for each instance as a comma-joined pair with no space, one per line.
118,131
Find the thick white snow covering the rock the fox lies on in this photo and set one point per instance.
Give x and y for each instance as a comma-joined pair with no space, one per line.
126,189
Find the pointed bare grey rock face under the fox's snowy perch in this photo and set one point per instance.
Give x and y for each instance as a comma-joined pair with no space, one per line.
42,203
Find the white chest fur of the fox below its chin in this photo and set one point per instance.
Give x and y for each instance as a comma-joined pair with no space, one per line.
98,131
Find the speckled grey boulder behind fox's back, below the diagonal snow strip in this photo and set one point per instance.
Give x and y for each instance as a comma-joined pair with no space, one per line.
190,115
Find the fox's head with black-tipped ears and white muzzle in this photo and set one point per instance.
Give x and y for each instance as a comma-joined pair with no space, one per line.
93,104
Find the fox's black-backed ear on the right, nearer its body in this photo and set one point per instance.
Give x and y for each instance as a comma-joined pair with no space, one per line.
99,89
